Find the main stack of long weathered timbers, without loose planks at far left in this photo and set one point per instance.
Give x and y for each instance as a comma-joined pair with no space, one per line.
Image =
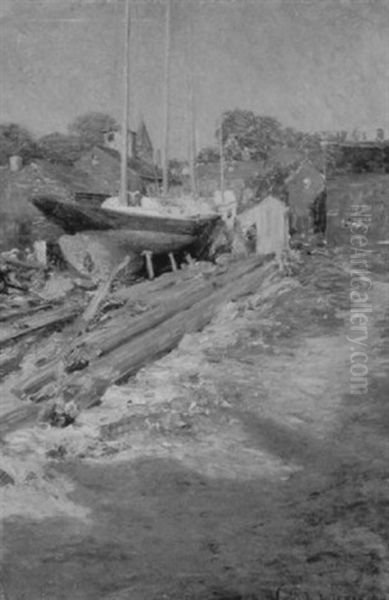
116,348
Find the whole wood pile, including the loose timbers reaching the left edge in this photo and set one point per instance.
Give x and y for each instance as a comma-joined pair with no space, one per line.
150,319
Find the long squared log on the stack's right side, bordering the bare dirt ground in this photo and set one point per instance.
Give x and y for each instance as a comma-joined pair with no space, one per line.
123,362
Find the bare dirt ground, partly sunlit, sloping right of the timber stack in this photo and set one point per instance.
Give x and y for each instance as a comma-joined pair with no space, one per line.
239,466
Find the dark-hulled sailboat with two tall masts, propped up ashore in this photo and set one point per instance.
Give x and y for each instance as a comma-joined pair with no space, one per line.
140,229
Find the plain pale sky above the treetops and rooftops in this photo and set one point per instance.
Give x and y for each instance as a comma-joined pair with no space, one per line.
314,64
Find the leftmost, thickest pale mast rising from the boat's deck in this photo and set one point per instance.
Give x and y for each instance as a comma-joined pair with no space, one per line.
126,106
